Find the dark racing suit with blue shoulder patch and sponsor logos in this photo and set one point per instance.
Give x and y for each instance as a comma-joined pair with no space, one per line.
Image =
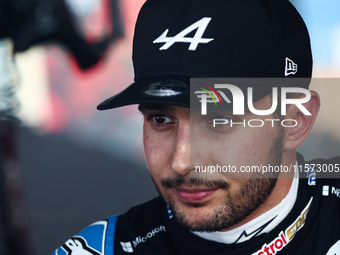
312,227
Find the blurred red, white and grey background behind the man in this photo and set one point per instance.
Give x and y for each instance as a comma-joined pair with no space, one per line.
75,165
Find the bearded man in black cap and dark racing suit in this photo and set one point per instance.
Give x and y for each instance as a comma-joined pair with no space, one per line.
235,211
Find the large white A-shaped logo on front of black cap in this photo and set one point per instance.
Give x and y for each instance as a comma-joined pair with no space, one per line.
200,25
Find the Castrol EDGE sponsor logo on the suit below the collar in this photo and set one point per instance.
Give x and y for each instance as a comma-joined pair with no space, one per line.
286,236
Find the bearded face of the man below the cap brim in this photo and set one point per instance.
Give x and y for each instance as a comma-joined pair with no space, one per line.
174,144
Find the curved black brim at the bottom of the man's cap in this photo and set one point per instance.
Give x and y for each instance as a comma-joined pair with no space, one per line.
173,90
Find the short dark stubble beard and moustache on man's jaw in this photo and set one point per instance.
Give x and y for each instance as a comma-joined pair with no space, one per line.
251,194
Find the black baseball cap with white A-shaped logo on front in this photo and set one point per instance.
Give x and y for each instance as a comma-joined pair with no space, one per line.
176,40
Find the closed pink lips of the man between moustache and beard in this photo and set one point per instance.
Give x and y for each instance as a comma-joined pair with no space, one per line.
194,195
